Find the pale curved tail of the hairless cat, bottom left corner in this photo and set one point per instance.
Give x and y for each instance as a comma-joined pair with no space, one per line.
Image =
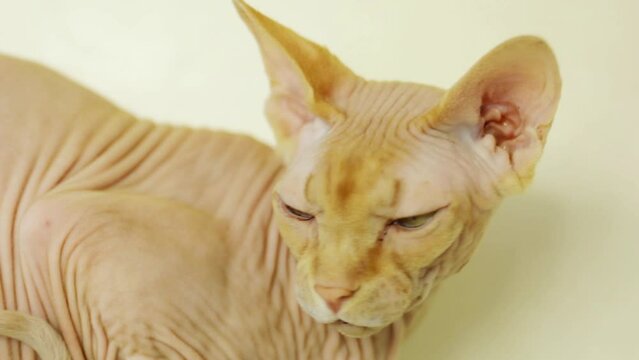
35,332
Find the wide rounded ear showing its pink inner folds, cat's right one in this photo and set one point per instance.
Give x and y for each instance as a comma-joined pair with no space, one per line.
504,107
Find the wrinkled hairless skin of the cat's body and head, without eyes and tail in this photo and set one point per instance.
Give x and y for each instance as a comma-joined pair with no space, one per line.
137,240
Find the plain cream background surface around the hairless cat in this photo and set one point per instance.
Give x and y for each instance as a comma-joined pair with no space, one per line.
557,274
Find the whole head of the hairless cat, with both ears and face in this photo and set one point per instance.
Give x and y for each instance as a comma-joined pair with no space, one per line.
388,185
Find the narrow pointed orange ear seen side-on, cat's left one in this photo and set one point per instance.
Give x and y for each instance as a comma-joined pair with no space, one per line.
307,81
